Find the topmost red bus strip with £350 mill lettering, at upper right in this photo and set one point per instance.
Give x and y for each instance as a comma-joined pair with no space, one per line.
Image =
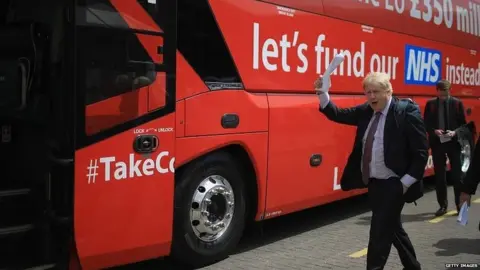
411,17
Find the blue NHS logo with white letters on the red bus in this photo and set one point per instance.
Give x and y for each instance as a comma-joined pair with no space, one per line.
422,66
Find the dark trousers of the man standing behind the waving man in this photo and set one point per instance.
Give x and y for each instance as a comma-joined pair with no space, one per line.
452,150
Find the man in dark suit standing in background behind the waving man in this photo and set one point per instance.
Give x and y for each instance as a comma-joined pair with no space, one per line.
444,115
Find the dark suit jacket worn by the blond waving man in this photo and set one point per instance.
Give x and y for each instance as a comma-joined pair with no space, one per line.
406,146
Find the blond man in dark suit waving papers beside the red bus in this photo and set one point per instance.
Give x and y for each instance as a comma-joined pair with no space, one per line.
389,155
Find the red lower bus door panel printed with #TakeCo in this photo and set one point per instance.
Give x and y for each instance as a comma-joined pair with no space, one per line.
124,200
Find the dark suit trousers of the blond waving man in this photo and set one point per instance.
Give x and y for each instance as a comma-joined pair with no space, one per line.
386,200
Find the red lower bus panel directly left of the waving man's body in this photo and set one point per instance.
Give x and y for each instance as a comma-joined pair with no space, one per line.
298,131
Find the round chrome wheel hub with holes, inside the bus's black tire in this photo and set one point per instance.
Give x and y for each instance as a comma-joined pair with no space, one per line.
212,208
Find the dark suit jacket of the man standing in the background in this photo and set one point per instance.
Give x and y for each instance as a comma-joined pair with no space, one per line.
456,117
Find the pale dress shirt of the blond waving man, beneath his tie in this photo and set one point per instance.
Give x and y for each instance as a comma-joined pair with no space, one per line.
378,169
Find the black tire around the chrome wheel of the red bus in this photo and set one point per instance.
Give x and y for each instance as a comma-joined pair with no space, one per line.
187,248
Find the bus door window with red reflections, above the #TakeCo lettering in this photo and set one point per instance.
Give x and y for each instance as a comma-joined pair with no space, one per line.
115,67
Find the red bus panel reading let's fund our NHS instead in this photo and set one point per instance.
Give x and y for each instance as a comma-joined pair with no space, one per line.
285,50
